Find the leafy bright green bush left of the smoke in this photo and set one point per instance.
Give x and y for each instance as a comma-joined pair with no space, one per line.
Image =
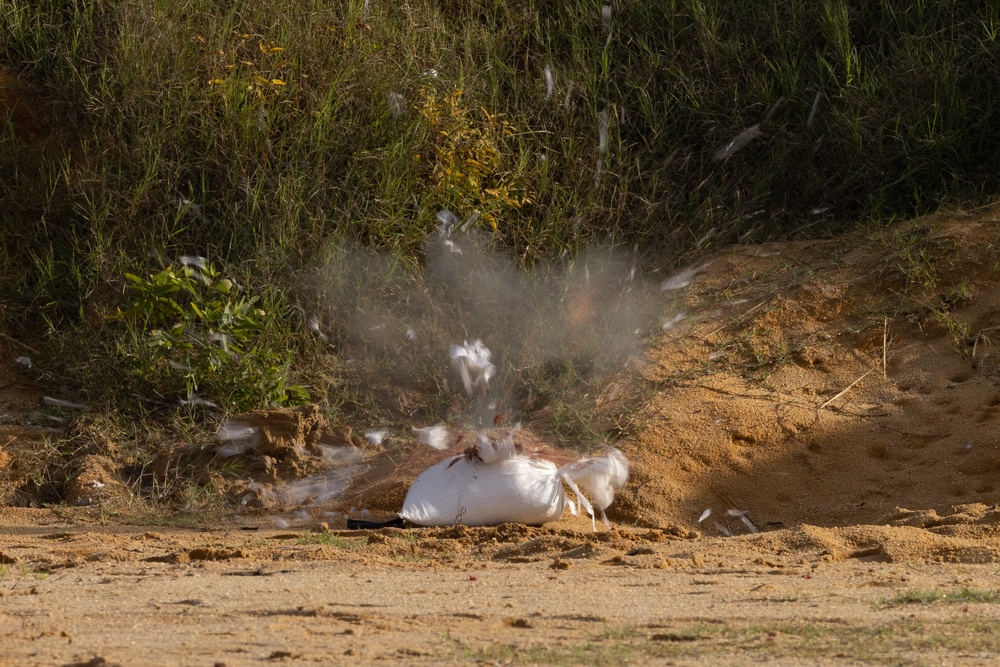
193,333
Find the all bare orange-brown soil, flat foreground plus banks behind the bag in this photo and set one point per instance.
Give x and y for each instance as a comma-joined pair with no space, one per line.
841,397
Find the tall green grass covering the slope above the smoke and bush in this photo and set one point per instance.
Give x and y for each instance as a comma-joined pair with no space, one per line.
255,133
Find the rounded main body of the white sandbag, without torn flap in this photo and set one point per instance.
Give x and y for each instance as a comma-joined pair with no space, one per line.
460,491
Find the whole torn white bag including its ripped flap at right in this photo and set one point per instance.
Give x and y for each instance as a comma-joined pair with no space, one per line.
493,483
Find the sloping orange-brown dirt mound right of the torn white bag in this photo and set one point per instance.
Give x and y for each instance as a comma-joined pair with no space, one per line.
827,383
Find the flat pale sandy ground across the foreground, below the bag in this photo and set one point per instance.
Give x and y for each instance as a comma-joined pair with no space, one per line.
79,594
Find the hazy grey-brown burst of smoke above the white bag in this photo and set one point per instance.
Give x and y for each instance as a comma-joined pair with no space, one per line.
587,314
